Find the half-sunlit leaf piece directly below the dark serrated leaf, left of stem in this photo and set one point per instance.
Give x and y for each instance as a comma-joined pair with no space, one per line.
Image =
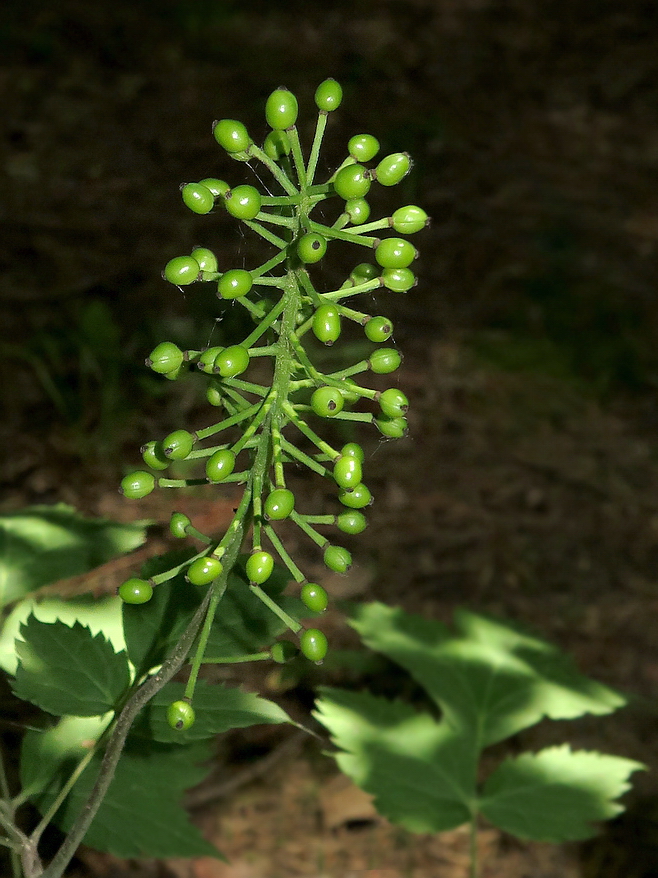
49,757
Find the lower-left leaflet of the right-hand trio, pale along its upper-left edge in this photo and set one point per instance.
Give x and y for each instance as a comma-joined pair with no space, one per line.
419,771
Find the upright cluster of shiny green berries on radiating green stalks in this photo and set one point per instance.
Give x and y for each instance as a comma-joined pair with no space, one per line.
266,423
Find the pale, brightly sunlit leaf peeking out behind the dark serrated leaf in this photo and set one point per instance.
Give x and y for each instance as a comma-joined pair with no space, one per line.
97,614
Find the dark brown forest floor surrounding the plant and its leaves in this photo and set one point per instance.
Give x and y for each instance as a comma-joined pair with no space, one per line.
528,484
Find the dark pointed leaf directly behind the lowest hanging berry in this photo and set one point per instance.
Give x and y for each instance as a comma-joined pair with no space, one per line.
218,709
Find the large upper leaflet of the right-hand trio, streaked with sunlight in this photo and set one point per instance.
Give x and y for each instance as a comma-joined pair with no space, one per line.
488,676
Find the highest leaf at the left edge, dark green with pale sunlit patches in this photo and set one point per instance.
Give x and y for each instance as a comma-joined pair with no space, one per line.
42,544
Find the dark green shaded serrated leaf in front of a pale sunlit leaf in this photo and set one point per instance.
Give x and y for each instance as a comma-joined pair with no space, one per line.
67,670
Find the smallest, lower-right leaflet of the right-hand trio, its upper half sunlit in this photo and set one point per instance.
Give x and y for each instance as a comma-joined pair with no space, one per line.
556,795
